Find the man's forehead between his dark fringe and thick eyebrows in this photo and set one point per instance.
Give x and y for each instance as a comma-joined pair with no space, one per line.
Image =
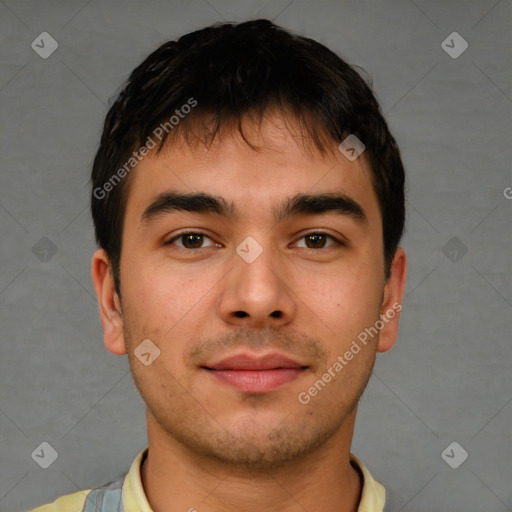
272,162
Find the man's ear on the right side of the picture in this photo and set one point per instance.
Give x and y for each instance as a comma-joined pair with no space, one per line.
392,301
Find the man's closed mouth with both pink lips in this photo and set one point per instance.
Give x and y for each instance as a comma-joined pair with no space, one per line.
250,374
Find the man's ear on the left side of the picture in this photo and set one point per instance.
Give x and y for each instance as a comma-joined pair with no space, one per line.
108,300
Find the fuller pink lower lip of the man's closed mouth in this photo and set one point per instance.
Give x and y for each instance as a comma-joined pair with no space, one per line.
257,381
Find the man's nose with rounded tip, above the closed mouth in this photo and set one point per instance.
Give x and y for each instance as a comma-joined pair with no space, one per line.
258,294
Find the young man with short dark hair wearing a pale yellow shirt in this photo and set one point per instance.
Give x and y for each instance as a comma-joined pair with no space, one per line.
248,201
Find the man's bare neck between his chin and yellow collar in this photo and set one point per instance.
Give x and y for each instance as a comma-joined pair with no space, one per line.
176,480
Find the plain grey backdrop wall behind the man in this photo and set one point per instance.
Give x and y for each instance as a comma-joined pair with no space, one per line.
447,379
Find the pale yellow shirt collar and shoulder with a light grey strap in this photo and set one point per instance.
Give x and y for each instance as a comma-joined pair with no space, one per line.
126,494
